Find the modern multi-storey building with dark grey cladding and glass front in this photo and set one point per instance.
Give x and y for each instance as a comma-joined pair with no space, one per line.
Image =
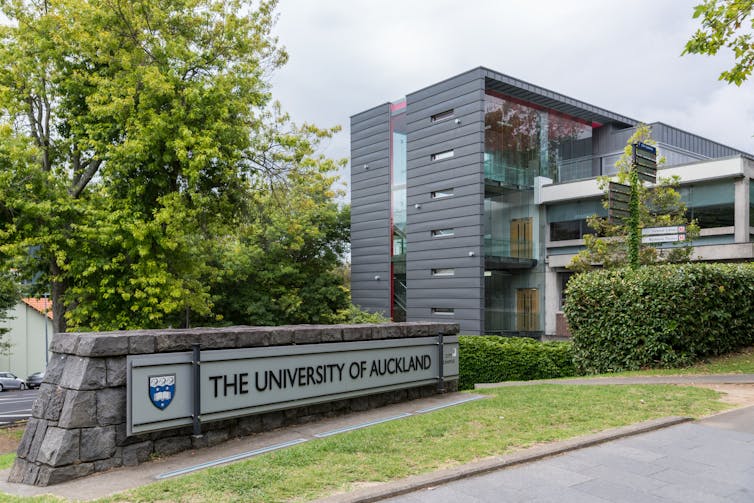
470,196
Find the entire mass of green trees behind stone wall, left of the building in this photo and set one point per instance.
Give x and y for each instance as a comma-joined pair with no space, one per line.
142,163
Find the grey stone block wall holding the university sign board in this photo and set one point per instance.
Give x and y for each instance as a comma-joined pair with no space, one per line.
78,423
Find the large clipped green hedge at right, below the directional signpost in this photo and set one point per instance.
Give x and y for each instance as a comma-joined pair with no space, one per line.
659,316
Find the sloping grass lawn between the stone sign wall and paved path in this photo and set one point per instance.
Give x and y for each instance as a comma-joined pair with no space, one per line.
509,419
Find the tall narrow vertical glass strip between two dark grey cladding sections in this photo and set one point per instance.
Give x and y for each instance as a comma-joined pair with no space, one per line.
398,166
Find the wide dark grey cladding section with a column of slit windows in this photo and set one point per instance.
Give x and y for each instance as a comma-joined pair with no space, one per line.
462,212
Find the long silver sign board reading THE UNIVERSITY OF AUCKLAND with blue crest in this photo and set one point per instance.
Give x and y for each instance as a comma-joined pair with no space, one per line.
162,390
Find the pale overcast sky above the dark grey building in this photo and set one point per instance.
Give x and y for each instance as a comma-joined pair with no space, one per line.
350,55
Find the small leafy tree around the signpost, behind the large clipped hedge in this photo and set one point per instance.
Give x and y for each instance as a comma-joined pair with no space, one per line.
659,206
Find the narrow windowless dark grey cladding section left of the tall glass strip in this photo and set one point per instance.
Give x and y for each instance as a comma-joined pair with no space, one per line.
370,208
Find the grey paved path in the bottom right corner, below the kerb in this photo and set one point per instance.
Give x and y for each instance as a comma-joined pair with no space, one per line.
707,461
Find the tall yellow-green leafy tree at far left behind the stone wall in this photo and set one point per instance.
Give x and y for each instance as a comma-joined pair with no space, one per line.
127,133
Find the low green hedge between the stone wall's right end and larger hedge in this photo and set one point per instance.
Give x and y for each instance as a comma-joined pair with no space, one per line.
495,359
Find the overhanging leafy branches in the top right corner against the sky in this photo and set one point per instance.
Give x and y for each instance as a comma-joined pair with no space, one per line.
724,23
